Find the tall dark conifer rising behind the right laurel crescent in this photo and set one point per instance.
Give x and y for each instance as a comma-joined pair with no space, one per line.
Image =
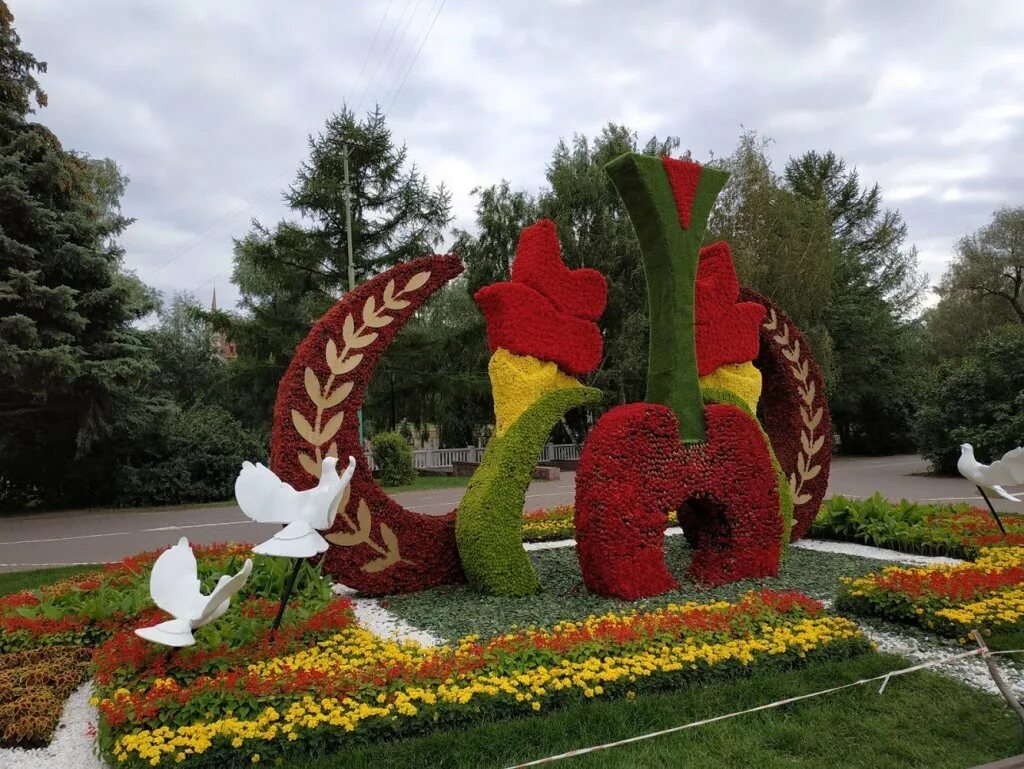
877,289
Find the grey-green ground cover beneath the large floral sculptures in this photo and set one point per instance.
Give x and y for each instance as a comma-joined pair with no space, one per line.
454,612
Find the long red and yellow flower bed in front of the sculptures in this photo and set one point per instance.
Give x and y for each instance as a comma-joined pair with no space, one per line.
356,687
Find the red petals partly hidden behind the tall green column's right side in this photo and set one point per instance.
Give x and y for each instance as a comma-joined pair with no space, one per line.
727,331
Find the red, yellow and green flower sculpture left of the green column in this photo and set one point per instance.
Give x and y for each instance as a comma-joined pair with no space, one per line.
541,327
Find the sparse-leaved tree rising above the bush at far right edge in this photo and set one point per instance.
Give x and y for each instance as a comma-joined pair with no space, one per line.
990,265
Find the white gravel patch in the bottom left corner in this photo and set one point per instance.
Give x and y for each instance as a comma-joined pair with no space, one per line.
74,742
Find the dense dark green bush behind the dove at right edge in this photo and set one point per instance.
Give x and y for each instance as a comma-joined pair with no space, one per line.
978,401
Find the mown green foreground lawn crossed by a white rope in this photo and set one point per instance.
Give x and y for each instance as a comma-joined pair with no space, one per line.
923,721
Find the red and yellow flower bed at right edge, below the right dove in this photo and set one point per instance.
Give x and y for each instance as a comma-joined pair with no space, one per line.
952,601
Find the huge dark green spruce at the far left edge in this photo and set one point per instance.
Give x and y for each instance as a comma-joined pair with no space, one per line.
71,365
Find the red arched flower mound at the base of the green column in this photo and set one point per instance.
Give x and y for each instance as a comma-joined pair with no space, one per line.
634,469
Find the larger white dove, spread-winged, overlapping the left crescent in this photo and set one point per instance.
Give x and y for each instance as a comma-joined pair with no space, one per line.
267,499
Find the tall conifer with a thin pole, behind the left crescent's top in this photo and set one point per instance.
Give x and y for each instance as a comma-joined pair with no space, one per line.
289,276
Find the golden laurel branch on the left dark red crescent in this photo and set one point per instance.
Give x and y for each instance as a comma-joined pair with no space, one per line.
326,397
